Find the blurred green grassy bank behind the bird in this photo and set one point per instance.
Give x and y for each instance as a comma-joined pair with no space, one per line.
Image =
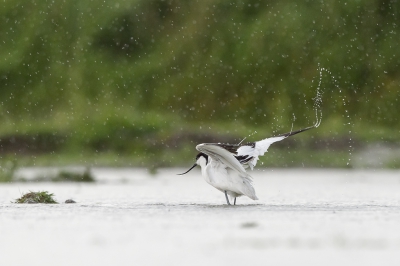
141,82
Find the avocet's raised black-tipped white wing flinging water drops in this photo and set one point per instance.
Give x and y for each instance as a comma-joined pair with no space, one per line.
249,152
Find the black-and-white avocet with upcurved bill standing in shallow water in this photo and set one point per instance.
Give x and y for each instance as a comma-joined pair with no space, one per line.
223,165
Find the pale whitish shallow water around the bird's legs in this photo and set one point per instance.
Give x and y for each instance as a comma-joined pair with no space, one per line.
303,217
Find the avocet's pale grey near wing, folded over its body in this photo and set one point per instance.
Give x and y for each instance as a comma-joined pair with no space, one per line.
218,153
